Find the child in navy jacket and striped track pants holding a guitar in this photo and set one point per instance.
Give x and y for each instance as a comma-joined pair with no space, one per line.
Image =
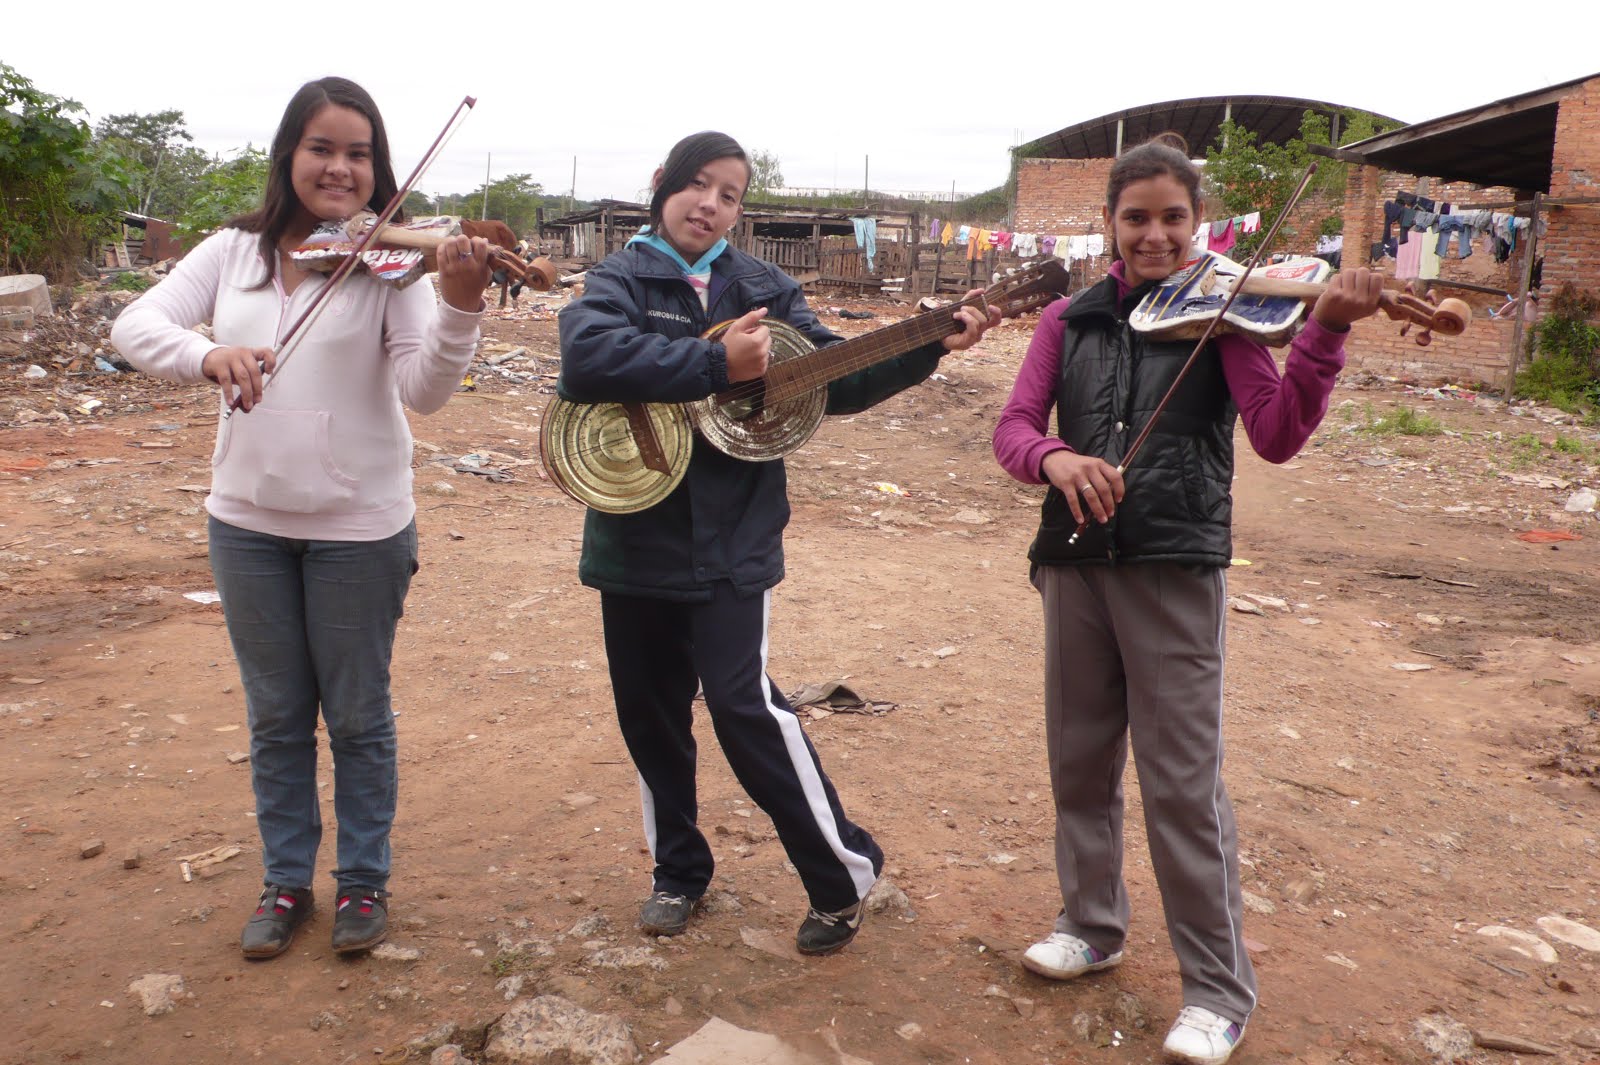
686,586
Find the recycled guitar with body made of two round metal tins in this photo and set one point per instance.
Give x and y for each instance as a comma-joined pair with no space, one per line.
623,458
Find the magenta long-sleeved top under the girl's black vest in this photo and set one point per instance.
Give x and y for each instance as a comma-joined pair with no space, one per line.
1281,412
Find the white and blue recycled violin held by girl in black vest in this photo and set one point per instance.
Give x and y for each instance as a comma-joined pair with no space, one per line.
1273,303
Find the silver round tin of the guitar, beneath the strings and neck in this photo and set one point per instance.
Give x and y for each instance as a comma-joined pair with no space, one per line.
774,431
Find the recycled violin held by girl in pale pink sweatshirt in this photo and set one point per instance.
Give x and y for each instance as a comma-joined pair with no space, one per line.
404,252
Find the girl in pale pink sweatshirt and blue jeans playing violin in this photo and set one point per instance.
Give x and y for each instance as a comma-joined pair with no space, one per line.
313,530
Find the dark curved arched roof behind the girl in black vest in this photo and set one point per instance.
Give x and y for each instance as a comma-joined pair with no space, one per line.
1199,122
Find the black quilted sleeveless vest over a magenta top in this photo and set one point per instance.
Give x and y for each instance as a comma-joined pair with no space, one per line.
1180,503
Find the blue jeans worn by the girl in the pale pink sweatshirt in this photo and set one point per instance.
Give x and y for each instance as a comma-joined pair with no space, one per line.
313,624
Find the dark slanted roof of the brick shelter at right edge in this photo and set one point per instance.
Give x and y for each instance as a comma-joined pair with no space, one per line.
1508,143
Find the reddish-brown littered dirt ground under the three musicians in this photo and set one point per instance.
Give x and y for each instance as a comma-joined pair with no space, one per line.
1414,727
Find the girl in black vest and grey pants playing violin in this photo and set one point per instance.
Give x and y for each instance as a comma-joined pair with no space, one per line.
1134,612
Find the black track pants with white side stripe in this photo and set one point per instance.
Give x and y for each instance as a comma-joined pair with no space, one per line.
660,652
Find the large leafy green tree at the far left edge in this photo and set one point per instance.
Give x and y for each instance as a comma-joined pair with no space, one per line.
58,194
